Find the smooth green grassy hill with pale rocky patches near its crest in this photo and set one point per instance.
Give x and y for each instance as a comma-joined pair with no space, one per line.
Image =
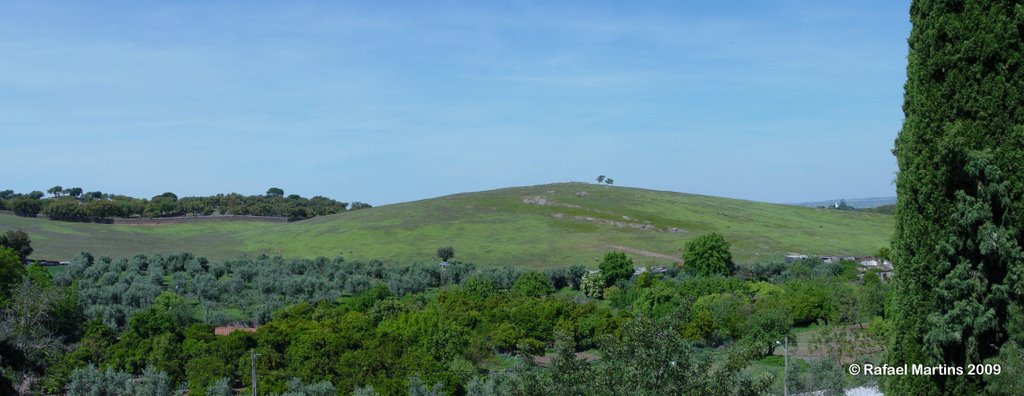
536,227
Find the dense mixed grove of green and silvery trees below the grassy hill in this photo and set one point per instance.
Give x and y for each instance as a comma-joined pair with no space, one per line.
146,324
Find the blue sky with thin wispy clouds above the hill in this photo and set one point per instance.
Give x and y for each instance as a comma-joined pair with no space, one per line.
391,102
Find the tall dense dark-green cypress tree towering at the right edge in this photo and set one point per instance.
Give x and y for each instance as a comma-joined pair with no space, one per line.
960,215
